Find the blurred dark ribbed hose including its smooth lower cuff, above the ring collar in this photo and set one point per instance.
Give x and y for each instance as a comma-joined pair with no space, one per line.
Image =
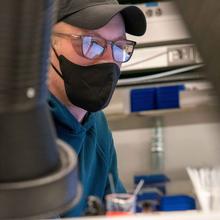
27,137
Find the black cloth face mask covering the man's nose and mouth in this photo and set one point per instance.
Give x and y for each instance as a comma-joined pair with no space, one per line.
88,87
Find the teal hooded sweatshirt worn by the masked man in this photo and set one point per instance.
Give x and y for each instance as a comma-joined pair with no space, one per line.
92,141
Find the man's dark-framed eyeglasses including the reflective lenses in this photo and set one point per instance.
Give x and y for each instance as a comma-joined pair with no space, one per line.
92,47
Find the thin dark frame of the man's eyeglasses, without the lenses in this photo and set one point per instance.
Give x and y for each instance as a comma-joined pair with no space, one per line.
107,42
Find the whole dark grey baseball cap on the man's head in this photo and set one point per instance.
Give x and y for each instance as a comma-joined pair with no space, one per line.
93,14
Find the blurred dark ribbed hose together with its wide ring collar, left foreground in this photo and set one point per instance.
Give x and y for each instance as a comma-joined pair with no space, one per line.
36,179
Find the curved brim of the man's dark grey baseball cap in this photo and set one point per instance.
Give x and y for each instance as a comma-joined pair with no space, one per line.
97,16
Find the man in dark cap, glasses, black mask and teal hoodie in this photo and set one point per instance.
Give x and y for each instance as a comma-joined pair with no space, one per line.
88,47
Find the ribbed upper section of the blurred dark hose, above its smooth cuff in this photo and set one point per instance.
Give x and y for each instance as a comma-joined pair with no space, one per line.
24,43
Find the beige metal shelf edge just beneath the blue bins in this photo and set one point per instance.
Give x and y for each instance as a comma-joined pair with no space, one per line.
172,117
